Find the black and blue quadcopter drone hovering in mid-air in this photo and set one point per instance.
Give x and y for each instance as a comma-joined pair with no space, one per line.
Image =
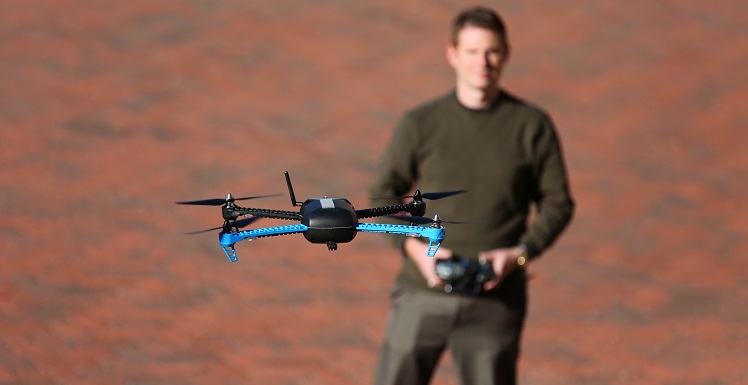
325,220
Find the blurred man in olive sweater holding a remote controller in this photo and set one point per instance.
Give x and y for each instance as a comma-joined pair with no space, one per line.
506,153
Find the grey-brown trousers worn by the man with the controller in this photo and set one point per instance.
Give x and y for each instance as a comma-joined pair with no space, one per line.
482,334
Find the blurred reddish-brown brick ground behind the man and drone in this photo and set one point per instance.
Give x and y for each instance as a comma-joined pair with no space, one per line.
110,111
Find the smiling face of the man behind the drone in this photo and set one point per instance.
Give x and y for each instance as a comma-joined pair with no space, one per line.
477,58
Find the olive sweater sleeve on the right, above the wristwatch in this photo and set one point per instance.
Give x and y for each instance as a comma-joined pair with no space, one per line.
553,200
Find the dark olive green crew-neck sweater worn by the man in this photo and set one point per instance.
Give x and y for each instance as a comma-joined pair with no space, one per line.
507,156
